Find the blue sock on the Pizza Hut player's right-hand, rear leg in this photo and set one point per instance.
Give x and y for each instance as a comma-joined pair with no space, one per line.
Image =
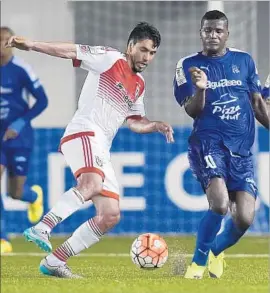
227,238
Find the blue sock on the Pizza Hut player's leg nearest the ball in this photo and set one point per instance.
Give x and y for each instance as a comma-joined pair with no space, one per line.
208,229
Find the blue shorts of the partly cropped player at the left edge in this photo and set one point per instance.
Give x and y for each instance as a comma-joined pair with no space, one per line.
16,160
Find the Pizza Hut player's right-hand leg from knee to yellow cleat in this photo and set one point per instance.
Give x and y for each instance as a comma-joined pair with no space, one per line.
242,215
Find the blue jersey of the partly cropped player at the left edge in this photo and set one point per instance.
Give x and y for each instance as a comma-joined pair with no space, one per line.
17,82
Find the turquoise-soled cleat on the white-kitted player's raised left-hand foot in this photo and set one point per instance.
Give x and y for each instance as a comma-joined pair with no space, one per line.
39,237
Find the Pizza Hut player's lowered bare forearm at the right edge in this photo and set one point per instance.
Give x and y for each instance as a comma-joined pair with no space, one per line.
260,109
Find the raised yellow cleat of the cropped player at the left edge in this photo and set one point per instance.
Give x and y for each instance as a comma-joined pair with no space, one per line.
36,209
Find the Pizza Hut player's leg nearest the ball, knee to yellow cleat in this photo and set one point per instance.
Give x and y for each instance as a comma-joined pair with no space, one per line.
218,199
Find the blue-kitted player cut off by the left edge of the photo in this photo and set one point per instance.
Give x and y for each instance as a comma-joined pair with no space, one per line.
16,132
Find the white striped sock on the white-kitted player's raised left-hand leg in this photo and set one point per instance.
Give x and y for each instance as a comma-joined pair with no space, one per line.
68,203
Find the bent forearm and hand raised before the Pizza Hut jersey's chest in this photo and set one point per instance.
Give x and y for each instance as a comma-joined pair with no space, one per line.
195,104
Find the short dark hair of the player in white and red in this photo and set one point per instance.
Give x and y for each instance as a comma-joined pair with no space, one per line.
143,31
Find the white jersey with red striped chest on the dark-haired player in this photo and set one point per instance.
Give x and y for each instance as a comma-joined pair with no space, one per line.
111,93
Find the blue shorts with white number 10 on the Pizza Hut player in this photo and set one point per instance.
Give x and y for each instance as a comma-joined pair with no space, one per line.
210,158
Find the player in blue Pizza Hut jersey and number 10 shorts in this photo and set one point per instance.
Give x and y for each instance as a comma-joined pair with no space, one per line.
220,89
